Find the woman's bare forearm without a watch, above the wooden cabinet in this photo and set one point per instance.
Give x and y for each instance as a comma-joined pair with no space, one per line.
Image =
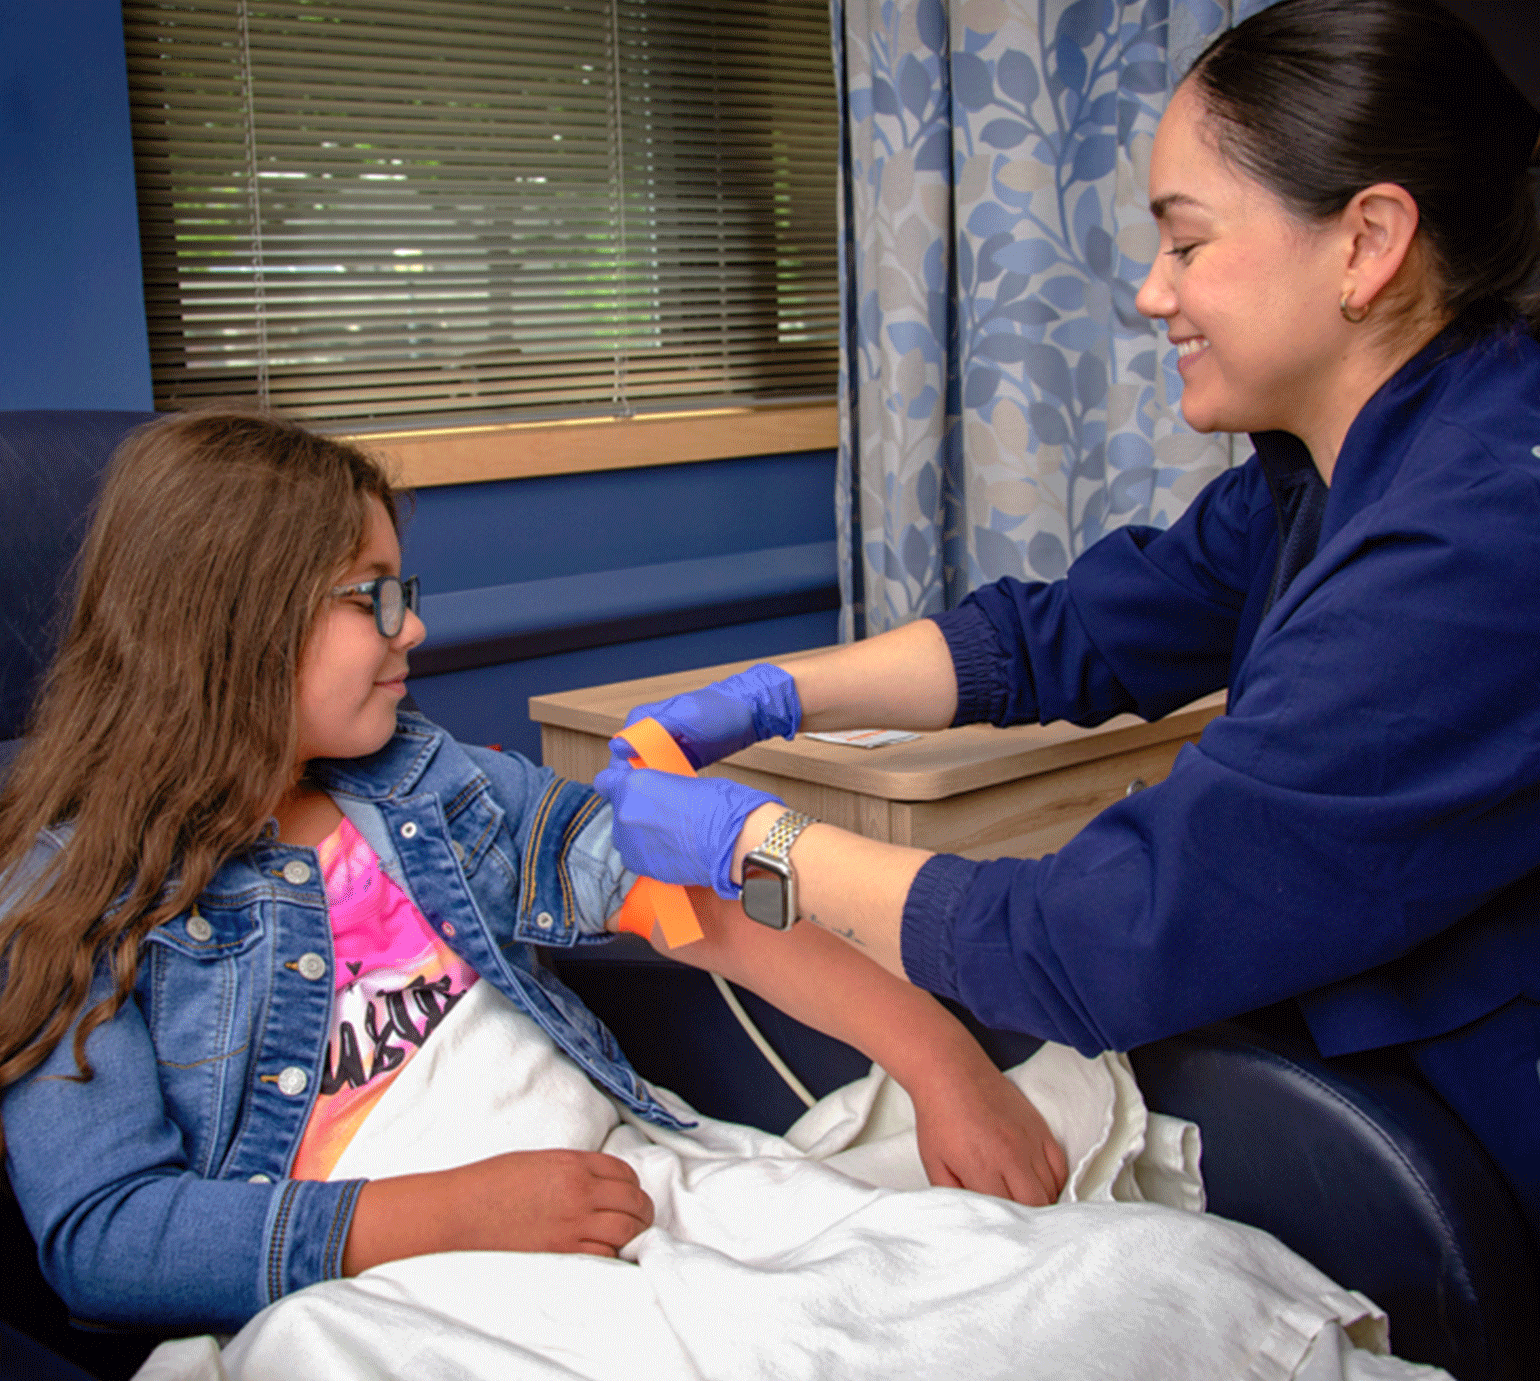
900,680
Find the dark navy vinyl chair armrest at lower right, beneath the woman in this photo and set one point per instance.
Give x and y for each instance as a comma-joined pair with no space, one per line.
1361,1169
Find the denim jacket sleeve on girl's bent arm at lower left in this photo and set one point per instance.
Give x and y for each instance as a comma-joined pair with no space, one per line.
126,1232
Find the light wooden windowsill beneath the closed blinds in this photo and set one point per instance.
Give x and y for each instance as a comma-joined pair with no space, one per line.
520,450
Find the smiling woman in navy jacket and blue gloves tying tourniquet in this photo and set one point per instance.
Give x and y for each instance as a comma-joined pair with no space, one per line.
1347,229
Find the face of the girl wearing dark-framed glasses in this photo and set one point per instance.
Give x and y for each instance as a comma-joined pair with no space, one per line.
350,678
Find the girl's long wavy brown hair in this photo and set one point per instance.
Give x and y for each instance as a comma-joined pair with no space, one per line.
166,732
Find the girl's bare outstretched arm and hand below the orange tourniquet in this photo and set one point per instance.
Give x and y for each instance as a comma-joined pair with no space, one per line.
977,1131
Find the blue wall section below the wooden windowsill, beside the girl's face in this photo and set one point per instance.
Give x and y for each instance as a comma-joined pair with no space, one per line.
685,538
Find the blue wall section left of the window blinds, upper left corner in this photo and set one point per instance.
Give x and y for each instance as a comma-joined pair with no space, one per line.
72,309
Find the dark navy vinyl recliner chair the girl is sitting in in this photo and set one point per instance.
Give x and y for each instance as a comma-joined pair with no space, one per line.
1353,1163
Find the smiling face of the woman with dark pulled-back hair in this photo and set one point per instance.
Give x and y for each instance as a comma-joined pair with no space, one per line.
1248,292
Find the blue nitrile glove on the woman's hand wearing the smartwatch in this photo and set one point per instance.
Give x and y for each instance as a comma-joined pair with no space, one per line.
678,829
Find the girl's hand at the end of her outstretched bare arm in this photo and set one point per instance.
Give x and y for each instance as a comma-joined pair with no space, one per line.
982,1132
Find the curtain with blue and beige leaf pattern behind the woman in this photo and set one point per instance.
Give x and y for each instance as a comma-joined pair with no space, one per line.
1003,406
